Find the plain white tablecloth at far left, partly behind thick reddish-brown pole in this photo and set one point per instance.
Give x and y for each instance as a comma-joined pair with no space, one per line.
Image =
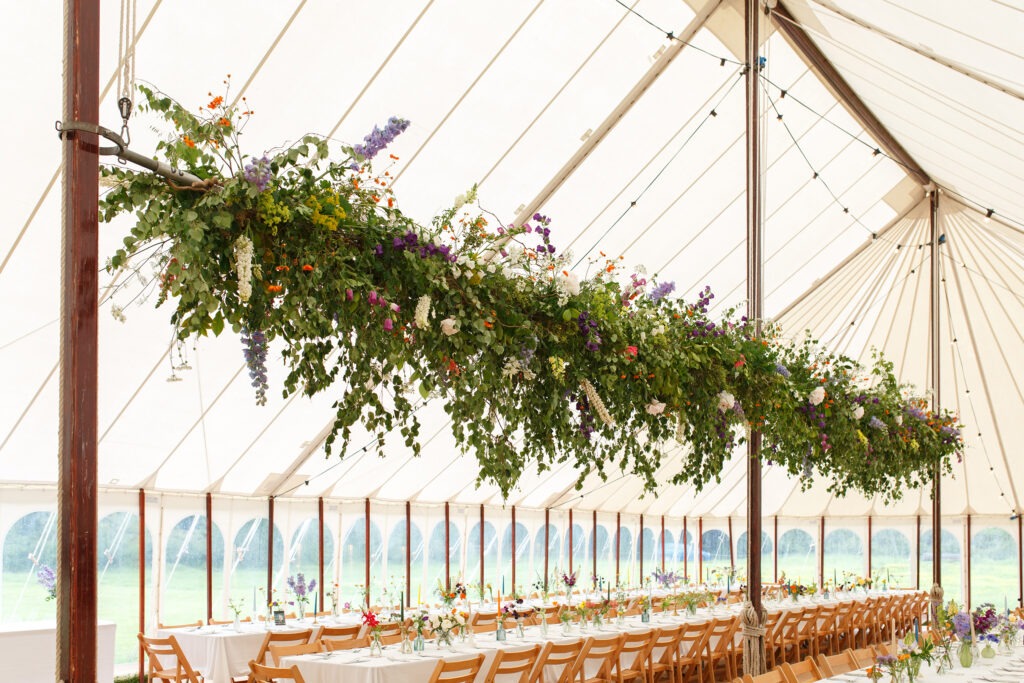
28,652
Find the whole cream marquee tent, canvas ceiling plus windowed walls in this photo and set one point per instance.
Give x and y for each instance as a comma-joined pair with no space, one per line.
632,142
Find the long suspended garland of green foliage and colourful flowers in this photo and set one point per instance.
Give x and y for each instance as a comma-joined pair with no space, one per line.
534,366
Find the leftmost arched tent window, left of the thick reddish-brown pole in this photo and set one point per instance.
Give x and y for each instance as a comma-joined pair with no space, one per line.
30,544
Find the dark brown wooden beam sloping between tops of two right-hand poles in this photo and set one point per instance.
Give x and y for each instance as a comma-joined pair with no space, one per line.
831,78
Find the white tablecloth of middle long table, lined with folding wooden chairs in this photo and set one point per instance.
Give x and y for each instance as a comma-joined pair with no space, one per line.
394,667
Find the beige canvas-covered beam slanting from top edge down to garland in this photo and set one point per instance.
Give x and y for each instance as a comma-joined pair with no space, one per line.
621,111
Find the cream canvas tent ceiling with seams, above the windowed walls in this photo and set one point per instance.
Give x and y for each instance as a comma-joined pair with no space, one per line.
503,95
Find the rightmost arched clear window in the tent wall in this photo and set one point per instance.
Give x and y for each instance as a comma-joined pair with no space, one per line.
995,563
